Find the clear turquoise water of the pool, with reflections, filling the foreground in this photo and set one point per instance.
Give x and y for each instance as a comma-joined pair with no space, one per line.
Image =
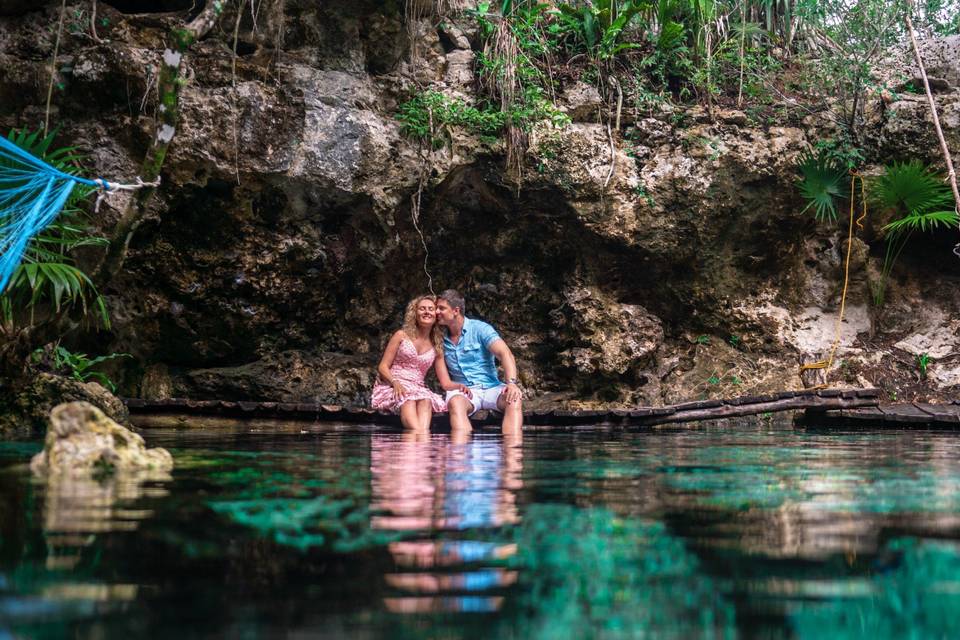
761,531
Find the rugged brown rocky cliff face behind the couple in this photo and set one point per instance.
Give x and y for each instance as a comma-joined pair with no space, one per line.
670,260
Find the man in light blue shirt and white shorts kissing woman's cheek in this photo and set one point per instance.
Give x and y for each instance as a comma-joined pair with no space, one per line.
469,349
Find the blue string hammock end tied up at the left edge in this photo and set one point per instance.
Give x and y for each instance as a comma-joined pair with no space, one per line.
32,193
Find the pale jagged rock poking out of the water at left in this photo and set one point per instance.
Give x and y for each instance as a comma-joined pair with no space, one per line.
81,439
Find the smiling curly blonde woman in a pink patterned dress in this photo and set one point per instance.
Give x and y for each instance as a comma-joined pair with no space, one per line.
408,357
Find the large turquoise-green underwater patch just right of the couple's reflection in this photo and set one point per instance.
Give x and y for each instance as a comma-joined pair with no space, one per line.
590,572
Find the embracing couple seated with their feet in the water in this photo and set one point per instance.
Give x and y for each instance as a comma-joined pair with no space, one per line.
463,352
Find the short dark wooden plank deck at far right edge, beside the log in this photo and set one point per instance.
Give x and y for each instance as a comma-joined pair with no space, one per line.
905,414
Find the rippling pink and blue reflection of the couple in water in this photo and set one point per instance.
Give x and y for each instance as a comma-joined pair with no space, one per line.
445,498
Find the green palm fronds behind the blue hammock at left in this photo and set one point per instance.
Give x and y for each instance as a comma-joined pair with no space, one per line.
48,274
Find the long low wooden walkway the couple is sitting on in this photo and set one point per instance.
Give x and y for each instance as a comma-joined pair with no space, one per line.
822,401
